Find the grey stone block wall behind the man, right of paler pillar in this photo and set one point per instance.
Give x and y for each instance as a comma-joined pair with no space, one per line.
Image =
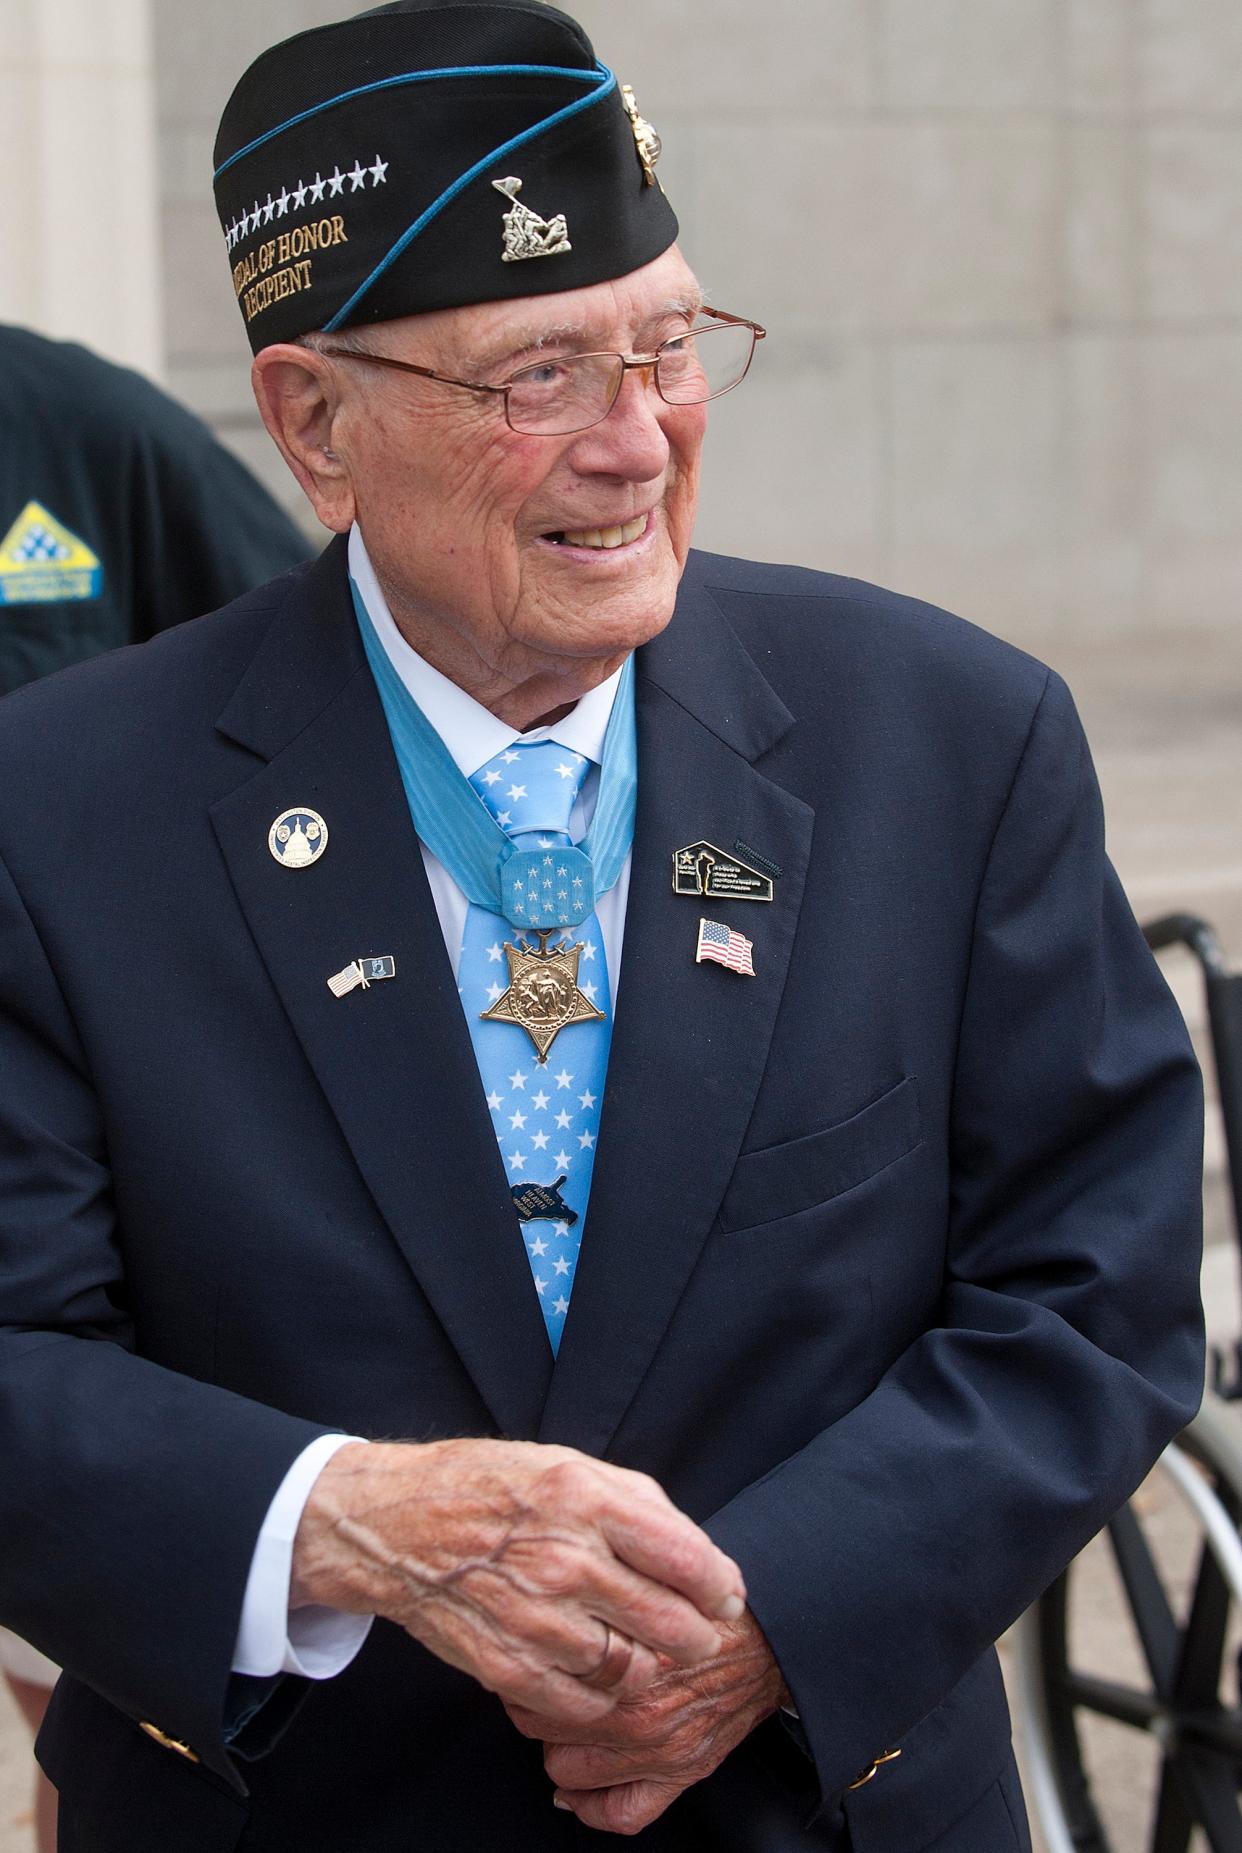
998,247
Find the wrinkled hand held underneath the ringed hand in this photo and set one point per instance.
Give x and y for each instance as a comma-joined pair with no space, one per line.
620,1774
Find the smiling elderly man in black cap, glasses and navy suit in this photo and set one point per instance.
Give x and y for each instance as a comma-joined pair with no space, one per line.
592,1103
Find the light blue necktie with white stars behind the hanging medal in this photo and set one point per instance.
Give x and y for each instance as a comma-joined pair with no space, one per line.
546,1113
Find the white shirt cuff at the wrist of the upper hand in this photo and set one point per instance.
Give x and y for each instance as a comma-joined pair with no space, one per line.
314,1643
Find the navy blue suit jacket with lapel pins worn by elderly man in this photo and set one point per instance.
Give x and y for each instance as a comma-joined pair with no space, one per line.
893,1261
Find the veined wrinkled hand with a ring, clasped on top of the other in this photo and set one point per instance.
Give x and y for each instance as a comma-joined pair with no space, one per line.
551,1578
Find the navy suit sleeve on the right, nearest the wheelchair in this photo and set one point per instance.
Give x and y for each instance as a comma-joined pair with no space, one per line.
902,1543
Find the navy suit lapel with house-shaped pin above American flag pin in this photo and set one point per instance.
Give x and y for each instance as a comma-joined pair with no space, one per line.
691,1042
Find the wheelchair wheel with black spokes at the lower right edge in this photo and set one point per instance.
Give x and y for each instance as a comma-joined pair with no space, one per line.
1128,1669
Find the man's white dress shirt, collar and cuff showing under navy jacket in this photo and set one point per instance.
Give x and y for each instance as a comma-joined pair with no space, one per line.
320,1643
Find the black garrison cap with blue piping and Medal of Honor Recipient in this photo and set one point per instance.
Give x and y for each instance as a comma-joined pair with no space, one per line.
429,155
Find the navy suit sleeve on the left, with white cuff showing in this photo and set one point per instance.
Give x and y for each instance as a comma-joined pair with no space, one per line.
131,1496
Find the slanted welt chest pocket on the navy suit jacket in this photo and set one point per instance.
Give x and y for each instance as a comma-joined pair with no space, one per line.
802,1174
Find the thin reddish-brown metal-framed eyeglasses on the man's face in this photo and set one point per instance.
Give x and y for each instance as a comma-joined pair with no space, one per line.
572,392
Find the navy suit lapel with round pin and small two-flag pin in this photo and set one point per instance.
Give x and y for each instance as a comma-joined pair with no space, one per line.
396,1063
